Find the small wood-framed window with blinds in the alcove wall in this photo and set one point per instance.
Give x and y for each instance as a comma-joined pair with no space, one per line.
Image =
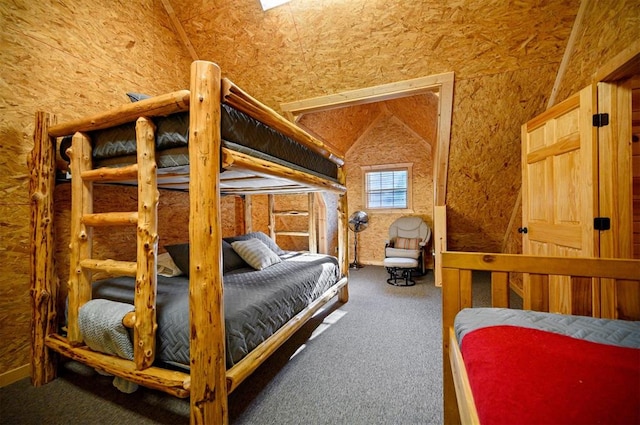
388,186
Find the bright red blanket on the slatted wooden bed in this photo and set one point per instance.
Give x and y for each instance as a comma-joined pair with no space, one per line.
521,375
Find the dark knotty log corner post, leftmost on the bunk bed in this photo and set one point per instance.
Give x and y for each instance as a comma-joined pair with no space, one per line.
44,282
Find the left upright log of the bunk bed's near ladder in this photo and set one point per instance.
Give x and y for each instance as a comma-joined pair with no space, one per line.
81,234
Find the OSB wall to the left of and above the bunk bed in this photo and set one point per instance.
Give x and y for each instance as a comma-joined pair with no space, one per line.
70,58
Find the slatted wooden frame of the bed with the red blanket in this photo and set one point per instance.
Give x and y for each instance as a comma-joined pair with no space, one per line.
457,268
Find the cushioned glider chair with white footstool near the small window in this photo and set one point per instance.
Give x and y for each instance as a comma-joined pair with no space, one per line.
409,239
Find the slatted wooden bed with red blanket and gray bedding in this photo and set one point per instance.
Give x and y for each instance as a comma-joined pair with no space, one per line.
504,365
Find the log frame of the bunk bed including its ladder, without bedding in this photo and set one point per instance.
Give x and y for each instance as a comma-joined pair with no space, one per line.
208,383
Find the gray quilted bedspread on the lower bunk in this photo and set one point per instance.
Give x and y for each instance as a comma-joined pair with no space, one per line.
256,303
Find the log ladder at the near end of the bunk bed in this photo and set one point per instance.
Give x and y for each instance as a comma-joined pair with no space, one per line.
82,265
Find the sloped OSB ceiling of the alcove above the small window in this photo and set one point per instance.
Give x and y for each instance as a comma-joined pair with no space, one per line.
342,127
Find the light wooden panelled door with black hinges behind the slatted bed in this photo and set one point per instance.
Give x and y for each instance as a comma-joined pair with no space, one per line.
560,199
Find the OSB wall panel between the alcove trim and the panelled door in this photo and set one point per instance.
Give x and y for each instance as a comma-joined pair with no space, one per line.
484,162
